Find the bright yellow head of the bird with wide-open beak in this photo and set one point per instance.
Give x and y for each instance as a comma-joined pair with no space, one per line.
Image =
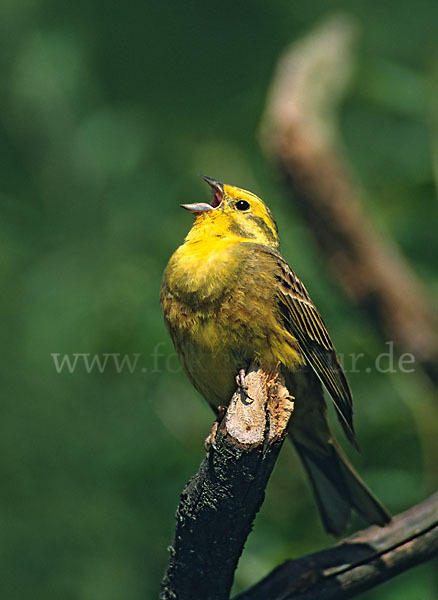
233,213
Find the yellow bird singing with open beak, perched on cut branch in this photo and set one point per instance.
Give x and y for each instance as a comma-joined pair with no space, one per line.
229,298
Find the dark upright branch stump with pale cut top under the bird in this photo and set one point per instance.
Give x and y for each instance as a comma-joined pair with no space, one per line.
219,503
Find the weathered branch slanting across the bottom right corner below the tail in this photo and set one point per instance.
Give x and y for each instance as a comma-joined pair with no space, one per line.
358,563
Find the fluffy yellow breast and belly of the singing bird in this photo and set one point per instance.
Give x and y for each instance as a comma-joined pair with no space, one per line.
219,303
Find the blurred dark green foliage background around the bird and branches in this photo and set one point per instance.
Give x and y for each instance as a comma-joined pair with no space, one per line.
108,112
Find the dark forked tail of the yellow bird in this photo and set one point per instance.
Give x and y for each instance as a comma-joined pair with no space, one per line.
337,486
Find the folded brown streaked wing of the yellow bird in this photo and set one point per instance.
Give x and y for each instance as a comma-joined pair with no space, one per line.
304,322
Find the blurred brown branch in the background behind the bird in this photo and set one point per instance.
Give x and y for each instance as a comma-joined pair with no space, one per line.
300,134
